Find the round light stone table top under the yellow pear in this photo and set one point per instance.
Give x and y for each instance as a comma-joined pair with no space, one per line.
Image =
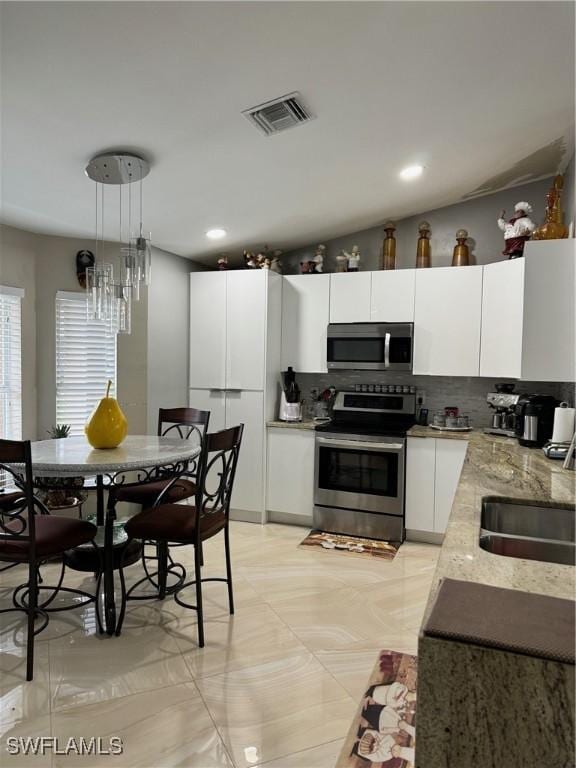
75,456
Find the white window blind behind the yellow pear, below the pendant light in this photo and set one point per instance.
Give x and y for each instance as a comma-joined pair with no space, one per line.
85,360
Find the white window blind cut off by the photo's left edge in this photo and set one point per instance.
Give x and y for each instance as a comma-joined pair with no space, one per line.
11,363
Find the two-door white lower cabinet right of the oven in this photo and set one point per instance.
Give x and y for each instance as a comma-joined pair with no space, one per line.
433,469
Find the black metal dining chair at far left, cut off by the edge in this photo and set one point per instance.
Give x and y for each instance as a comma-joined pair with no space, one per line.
30,535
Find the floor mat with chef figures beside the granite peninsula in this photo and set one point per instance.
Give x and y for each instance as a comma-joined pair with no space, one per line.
382,734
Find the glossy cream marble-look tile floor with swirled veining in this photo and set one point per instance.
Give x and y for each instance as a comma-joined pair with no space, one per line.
277,684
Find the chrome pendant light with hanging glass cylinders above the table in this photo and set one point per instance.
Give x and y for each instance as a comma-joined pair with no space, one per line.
111,287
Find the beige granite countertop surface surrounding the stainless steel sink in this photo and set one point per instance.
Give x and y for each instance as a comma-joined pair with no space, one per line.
500,466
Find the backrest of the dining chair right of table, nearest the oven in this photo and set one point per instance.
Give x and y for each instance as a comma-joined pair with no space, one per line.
218,471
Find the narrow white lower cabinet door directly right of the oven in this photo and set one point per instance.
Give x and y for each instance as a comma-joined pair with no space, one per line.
420,481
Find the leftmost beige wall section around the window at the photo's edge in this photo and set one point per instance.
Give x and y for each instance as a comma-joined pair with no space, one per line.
17,269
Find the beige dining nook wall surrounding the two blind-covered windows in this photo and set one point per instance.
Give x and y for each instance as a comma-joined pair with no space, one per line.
152,360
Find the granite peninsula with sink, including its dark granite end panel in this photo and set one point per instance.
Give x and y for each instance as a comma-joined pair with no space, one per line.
485,706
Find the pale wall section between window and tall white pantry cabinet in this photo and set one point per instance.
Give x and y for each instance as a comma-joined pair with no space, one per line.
168,329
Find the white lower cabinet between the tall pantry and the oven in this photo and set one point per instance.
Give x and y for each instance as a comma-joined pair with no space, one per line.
290,482
